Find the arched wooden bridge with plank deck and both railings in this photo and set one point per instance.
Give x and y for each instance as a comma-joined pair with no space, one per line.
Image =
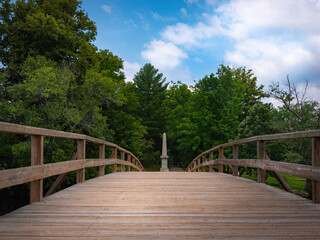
133,204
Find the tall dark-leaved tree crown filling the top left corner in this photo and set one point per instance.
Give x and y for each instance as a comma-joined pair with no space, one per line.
57,29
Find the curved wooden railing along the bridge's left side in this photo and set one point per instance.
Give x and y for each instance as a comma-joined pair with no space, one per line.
38,171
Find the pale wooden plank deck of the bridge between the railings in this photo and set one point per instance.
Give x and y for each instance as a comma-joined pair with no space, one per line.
166,206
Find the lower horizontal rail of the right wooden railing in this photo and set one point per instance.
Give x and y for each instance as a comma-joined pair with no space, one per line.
299,170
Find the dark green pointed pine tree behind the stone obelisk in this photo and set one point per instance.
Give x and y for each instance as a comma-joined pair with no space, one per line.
151,88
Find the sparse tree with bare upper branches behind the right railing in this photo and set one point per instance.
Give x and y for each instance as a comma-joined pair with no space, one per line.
296,114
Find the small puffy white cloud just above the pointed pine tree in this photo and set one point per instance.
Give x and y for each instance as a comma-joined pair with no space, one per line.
163,54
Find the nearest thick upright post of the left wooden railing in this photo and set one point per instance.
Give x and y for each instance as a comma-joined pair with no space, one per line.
36,187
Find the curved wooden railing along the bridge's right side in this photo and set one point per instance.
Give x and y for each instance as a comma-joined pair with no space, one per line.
263,162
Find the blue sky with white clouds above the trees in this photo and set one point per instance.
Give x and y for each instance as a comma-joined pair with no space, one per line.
188,39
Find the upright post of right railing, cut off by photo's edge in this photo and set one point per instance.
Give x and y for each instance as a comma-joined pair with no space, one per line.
316,163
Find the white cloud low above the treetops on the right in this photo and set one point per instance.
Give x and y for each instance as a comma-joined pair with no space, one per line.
270,61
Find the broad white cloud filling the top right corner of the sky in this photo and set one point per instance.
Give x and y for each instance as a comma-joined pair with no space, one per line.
252,15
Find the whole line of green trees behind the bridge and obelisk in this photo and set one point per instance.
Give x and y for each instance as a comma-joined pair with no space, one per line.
53,77
